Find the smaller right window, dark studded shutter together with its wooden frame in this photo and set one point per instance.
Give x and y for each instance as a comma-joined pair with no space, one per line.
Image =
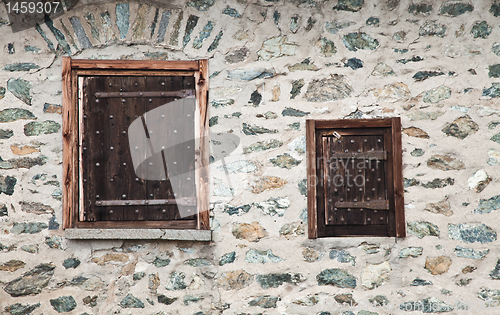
357,188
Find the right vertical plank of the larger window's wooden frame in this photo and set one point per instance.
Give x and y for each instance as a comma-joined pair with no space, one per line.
201,172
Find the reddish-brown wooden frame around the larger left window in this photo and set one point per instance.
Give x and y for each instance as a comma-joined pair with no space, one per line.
71,70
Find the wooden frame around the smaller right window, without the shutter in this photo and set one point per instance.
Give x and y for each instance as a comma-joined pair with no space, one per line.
396,200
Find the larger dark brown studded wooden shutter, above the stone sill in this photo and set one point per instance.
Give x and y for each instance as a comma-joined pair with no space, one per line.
111,189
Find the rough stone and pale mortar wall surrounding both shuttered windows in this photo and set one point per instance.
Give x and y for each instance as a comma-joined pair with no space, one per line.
273,64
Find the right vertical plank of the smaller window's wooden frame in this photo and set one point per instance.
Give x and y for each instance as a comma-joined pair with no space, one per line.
398,177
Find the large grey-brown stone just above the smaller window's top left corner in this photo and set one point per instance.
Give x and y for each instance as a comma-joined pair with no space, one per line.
330,89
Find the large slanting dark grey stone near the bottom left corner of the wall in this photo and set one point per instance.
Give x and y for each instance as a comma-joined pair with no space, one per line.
31,282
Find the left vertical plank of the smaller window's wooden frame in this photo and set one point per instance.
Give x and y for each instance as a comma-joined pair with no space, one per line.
311,179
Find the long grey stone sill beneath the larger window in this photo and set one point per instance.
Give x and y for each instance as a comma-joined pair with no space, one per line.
138,234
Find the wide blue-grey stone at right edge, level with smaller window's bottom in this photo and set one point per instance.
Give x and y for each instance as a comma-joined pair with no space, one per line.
471,233
